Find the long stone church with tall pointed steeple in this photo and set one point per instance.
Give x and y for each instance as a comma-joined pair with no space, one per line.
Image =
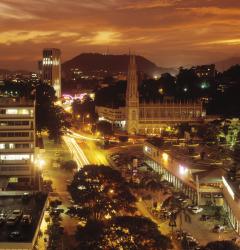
152,117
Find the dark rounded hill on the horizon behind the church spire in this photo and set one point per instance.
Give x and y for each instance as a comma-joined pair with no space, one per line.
112,63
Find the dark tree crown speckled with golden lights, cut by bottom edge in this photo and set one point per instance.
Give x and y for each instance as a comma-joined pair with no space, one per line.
123,232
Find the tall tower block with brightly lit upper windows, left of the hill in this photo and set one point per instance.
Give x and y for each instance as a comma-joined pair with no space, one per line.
51,69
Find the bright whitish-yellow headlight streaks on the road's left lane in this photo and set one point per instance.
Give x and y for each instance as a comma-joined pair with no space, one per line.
76,151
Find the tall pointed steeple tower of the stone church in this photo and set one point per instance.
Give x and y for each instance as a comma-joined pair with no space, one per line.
132,98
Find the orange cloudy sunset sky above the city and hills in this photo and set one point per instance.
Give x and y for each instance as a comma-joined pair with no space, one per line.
168,32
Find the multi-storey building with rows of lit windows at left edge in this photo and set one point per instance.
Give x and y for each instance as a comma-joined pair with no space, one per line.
17,141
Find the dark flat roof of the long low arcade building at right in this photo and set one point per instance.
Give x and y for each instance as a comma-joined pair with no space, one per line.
208,162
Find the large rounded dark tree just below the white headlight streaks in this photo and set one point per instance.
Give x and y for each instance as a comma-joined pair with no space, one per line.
101,192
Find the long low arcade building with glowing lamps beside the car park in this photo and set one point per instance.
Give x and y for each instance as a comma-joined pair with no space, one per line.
198,177
